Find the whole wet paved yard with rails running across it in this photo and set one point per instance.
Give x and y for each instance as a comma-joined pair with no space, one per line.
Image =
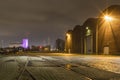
59,67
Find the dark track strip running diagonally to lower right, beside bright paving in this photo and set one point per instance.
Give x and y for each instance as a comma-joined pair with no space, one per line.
86,71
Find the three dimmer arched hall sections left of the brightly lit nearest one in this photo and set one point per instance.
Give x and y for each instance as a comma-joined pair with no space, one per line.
82,38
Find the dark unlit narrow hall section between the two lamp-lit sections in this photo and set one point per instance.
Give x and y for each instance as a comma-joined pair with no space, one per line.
77,39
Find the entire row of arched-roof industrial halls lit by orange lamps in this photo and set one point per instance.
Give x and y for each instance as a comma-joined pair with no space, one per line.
96,35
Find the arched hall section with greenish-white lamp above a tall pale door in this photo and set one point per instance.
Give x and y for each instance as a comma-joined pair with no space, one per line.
89,33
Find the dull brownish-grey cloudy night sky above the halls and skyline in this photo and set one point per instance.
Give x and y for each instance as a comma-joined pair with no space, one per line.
44,20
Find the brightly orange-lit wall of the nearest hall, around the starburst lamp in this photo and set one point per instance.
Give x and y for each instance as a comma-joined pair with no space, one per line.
109,31
